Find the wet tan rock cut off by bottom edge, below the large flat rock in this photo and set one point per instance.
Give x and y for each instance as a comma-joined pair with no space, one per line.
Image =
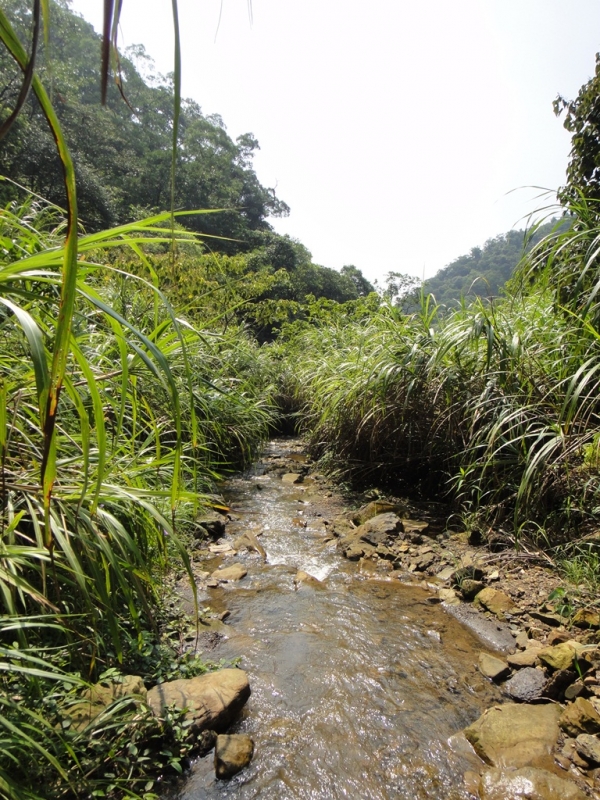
527,783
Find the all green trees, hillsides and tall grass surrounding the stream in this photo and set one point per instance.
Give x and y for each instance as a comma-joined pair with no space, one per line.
156,330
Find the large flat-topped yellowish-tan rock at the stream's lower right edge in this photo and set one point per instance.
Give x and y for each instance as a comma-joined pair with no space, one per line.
515,735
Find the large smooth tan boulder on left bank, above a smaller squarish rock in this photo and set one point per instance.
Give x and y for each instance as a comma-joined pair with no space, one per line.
212,700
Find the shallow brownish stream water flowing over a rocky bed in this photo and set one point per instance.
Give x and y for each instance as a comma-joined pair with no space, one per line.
357,684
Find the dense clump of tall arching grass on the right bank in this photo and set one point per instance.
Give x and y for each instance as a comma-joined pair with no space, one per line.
493,405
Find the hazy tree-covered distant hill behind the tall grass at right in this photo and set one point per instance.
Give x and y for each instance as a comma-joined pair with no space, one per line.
485,270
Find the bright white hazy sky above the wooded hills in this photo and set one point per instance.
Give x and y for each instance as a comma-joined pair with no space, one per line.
401,133
